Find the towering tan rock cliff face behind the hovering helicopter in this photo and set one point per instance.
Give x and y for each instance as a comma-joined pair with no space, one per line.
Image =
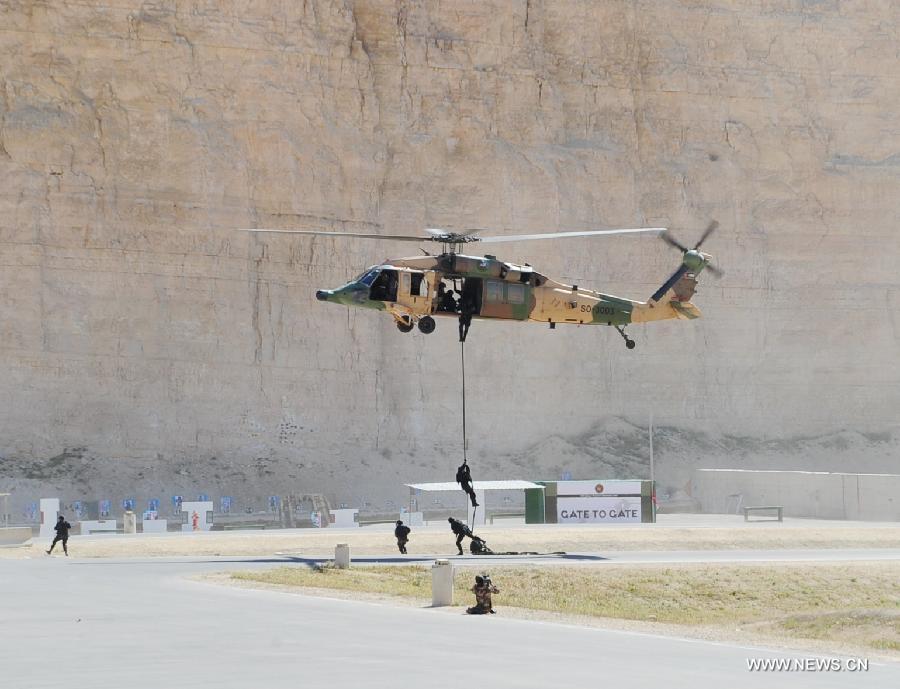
156,350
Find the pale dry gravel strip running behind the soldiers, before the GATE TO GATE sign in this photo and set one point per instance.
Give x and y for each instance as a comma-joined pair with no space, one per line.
379,541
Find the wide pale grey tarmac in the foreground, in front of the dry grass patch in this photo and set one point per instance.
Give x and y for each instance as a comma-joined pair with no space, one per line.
143,623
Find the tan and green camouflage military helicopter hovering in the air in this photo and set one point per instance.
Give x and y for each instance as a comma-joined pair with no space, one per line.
416,290
